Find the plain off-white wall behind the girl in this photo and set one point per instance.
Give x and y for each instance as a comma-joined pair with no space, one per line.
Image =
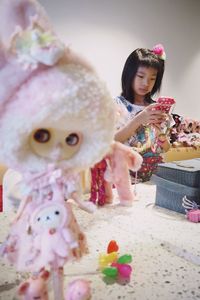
106,31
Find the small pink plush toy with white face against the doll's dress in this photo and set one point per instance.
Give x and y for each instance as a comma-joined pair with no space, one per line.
54,240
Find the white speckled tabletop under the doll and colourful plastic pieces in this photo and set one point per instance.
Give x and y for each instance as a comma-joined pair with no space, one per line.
164,245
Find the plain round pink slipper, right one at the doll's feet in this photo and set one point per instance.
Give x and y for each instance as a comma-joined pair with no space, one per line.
78,290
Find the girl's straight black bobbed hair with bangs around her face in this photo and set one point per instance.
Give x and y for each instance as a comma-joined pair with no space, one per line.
145,58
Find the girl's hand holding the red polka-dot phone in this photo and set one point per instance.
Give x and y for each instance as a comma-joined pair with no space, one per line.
152,116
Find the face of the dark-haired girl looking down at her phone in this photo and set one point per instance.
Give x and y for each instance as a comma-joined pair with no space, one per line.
144,81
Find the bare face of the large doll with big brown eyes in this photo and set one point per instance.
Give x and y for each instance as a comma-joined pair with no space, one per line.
54,143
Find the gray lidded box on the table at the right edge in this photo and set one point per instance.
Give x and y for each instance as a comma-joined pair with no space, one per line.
174,181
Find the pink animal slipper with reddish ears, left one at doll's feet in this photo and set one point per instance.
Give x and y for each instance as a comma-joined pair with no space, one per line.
35,287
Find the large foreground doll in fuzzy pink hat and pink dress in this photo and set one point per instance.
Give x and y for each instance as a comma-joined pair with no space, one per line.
56,119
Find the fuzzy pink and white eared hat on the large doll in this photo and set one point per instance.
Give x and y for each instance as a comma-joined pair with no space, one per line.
41,79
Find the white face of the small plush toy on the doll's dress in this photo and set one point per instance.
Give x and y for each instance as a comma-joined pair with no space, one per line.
51,216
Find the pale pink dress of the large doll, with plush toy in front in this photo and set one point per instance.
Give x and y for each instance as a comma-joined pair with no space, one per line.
25,246
